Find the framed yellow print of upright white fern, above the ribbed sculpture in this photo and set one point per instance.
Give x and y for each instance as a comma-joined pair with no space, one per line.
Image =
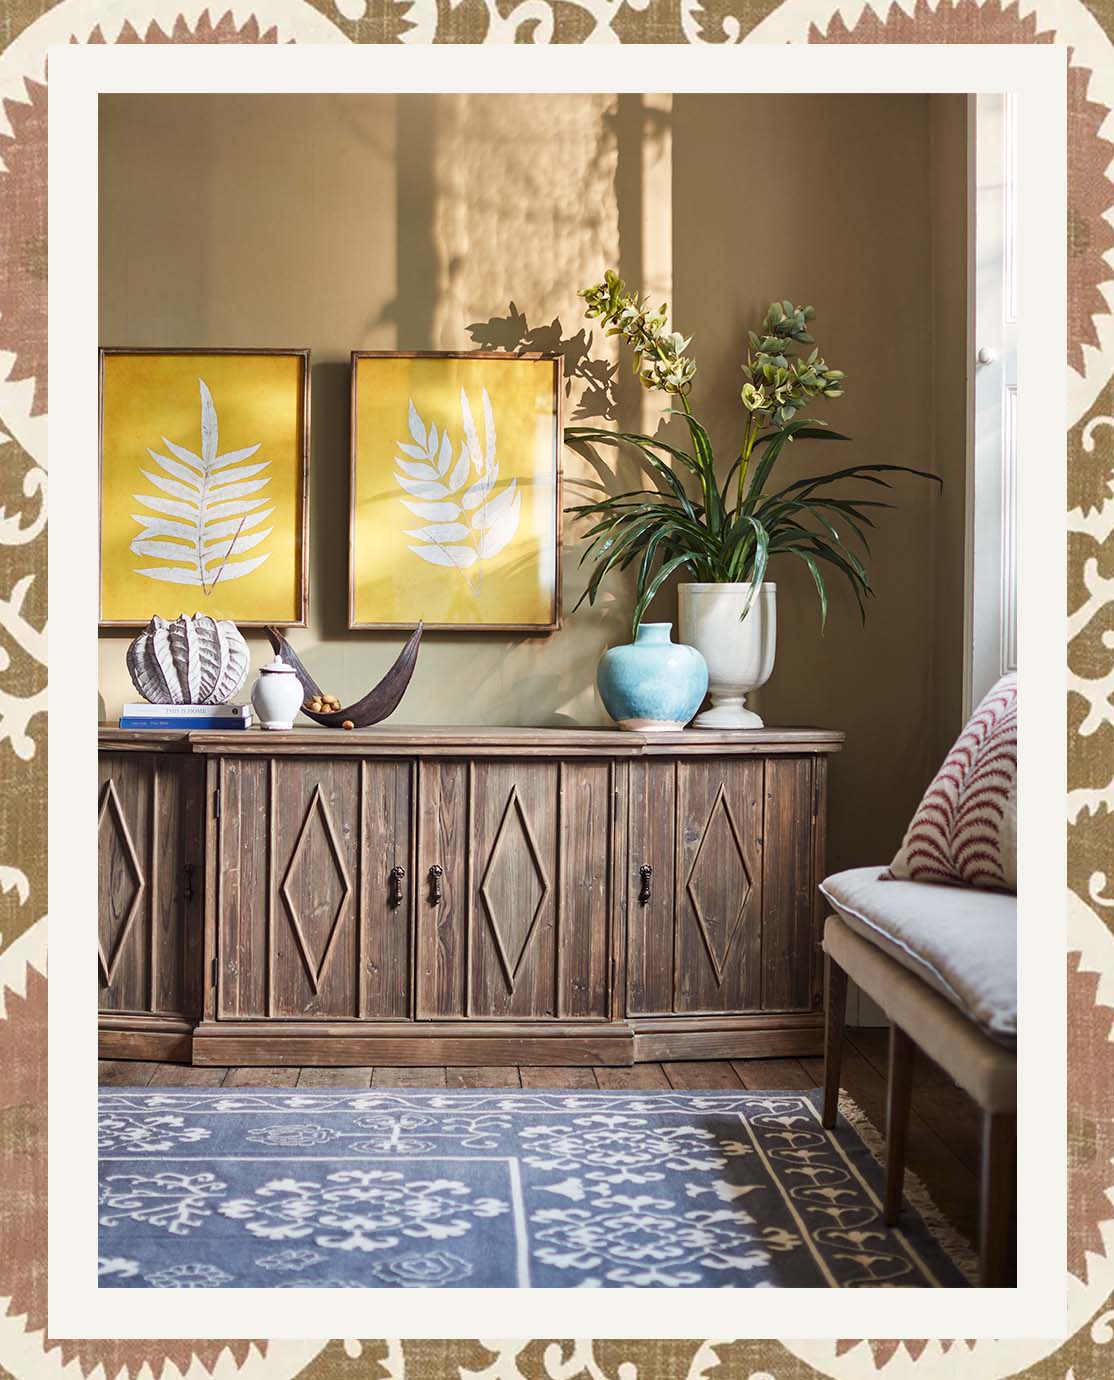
204,485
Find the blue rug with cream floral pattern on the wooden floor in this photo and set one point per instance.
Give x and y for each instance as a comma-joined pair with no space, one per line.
491,1190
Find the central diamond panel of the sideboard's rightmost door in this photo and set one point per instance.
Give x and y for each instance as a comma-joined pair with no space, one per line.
719,887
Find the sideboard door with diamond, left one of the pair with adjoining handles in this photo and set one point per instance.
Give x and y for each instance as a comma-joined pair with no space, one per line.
314,921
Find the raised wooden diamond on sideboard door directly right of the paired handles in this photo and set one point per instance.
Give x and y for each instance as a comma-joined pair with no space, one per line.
514,895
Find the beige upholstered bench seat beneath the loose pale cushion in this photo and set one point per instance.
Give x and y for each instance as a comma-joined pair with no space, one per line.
984,1067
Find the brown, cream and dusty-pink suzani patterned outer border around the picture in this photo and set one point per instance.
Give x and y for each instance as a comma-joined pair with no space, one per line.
28,28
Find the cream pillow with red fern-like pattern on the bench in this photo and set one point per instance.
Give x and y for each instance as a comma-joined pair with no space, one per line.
966,829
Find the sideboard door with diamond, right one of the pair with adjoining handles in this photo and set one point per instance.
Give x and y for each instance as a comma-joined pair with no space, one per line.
516,889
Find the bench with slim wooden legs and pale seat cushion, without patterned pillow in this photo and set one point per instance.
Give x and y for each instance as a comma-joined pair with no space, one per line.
942,964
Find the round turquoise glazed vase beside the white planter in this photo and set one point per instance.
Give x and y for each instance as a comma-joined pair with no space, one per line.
652,684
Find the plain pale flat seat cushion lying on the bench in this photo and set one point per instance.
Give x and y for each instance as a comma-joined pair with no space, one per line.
963,942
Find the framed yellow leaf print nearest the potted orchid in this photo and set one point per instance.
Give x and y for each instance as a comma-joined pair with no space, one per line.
456,492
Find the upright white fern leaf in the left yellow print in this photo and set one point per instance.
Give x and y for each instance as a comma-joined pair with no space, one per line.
211,514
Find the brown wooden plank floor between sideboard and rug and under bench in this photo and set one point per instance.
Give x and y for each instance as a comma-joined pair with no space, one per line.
944,1131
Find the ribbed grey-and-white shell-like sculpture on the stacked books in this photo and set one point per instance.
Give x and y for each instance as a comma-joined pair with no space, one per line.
188,662
